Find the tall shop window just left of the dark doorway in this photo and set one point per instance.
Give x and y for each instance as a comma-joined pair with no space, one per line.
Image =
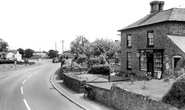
143,61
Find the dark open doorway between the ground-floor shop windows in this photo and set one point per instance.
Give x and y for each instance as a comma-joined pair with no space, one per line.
150,63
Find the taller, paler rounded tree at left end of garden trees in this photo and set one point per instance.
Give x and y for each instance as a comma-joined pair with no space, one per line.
77,46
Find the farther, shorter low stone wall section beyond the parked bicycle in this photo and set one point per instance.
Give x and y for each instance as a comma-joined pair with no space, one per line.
73,83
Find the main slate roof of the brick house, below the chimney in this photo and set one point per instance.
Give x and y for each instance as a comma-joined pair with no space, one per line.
173,14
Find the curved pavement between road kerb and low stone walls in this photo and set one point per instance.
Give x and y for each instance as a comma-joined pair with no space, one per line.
77,98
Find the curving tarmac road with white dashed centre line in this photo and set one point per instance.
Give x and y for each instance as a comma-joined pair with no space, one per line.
29,88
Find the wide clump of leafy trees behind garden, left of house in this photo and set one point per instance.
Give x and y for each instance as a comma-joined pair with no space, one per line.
81,45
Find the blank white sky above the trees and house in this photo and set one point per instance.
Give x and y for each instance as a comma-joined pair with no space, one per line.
40,24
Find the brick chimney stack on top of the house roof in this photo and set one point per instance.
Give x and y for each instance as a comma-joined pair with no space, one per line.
156,6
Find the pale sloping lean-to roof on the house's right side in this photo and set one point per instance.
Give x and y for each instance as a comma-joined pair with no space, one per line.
179,41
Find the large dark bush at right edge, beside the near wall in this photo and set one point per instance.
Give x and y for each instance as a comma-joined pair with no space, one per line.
176,95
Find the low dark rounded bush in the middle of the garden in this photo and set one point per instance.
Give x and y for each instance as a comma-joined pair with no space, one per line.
100,69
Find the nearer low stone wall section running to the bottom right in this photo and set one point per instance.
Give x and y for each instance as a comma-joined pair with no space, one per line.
122,99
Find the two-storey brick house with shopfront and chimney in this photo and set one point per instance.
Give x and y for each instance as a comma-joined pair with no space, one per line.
155,44
